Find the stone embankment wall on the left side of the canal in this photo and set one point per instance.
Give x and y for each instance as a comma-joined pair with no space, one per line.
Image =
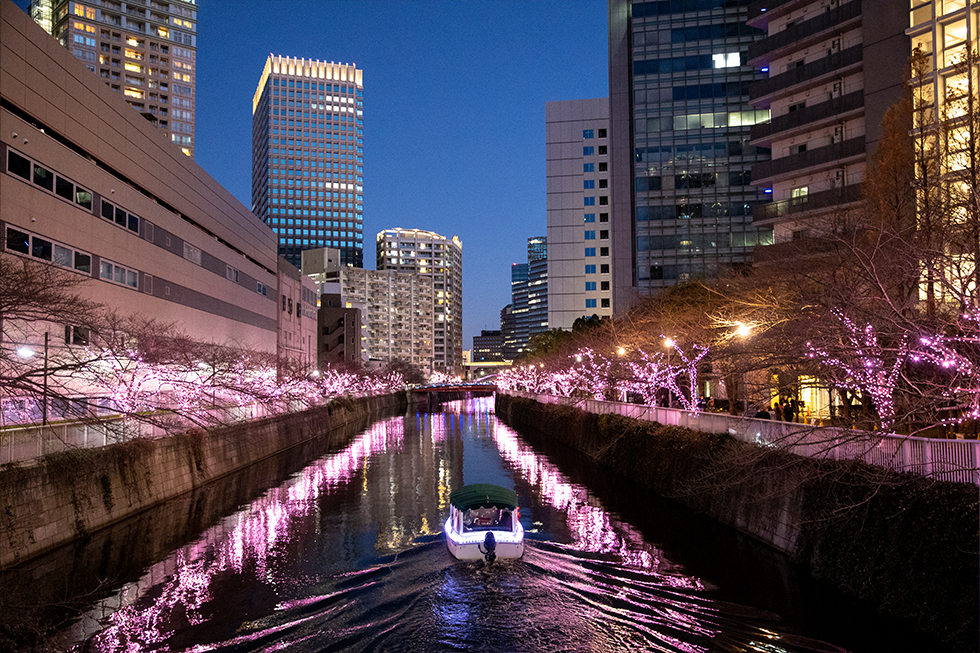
69,495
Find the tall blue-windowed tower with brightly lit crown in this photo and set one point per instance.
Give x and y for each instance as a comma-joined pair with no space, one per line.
308,156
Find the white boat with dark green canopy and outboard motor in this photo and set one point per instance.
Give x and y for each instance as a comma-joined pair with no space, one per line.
484,522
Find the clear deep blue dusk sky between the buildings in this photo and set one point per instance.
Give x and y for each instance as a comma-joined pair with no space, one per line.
454,102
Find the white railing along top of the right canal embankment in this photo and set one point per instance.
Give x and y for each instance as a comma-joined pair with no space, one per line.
956,461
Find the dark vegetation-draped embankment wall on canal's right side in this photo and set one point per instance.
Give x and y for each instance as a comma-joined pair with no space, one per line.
903,543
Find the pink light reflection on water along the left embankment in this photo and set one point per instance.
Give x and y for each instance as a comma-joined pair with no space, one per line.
183,581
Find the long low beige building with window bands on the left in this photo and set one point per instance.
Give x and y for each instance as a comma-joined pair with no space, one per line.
73,195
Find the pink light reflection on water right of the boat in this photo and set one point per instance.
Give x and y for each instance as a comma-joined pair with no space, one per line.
592,528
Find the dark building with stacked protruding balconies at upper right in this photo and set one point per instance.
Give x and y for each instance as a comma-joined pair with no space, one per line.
834,68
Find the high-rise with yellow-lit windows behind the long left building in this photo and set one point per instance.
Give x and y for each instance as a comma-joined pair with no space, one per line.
145,50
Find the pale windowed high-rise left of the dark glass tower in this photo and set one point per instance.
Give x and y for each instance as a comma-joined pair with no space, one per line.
579,267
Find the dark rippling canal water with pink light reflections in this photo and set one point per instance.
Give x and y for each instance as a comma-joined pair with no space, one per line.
347,554
